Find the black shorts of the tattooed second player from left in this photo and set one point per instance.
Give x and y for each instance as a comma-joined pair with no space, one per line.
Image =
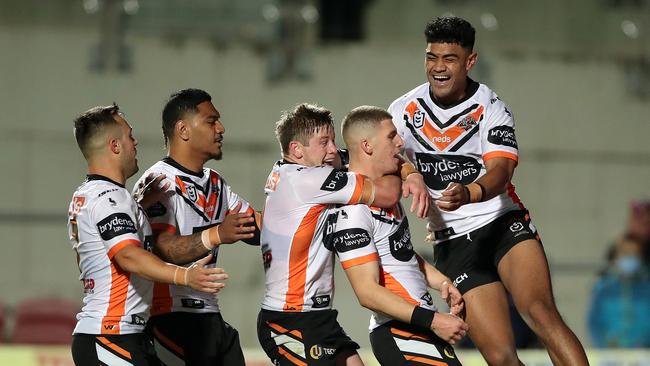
195,339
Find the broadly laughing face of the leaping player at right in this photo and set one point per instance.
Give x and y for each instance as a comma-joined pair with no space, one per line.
447,66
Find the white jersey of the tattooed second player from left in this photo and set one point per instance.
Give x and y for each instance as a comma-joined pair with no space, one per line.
201,201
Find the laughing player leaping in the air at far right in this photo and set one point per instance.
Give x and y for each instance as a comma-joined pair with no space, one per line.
461,137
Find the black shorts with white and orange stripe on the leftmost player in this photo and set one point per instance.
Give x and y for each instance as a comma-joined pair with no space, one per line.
128,349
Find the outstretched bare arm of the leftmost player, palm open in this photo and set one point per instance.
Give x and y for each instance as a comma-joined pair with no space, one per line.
134,259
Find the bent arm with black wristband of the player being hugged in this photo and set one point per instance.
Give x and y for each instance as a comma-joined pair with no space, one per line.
364,279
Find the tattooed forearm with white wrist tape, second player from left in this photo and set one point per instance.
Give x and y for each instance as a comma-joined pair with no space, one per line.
179,249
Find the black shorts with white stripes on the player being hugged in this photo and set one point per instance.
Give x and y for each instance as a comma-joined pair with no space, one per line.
400,344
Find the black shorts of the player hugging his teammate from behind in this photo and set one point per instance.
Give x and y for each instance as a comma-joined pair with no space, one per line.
312,338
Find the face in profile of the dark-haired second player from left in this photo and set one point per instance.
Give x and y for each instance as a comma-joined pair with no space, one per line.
207,131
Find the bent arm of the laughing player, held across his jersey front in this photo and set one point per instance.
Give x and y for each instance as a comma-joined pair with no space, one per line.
498,174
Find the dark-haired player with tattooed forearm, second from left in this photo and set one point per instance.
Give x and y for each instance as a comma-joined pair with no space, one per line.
187,325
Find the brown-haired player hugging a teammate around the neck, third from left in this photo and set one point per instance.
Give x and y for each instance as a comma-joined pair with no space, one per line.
297,325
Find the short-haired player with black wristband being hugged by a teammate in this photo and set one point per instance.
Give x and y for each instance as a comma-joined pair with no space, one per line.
388,277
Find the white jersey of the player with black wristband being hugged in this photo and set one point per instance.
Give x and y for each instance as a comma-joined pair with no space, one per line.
364,234
